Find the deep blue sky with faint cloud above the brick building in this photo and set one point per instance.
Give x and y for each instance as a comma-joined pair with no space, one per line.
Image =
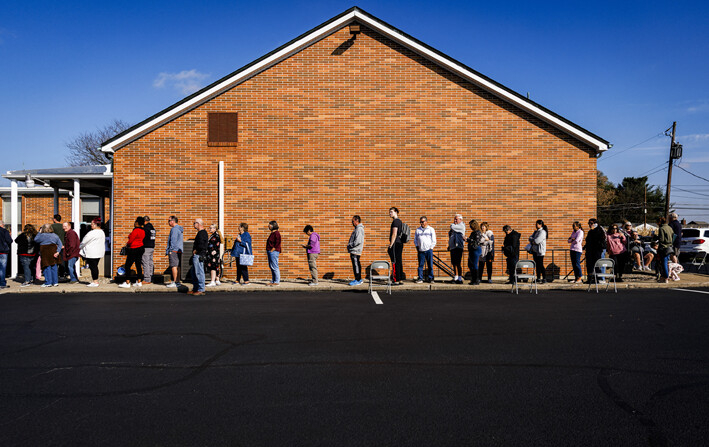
623,70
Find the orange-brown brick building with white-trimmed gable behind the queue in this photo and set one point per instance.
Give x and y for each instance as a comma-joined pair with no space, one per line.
349,118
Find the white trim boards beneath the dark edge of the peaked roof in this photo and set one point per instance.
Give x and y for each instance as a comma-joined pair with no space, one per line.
391,33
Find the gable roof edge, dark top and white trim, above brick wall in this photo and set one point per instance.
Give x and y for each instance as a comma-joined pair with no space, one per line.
353,14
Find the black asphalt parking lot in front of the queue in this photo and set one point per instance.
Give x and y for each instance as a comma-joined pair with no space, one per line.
335,368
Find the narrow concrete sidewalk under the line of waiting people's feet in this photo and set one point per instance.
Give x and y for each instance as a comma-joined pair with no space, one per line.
633,280
